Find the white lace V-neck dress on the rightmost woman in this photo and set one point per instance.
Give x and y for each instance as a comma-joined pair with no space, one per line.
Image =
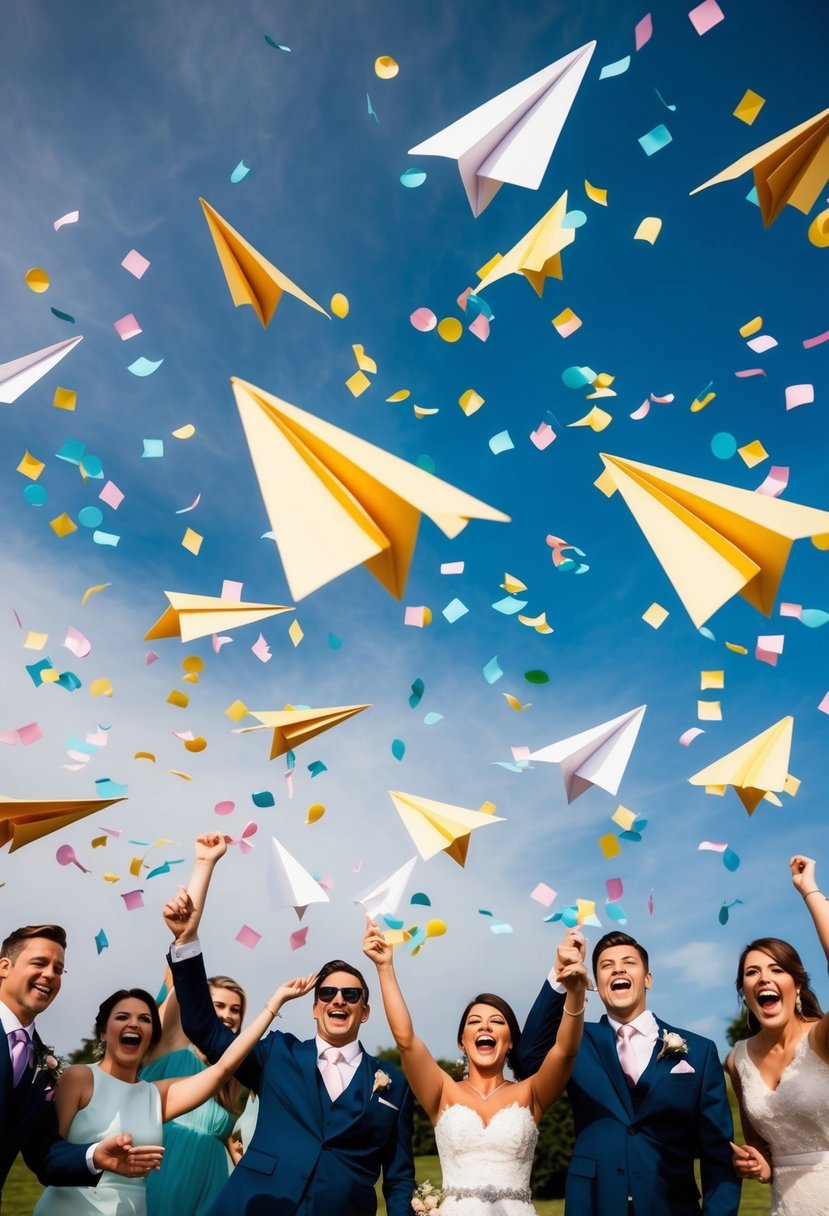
794,1122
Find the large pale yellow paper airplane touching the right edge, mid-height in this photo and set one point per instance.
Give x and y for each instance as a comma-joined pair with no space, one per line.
713,541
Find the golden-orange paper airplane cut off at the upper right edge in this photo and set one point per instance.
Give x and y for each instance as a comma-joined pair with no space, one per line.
793,168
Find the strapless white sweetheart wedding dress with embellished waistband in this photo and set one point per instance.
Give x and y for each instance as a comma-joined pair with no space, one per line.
487,1167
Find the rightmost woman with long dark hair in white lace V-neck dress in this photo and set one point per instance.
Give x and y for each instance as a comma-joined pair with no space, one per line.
781,1074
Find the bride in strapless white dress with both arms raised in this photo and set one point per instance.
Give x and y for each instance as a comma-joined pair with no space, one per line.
486,1125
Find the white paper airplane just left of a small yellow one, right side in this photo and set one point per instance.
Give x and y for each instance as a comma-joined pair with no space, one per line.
597,757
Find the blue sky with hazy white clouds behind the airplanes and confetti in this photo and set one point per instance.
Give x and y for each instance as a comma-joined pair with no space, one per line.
129,114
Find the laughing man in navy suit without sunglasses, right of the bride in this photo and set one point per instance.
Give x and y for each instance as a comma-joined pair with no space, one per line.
647,1101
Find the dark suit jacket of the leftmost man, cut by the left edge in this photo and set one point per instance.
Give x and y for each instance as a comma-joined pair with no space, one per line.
29,1125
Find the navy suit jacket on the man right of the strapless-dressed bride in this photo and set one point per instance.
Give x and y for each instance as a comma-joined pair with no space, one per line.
641,1142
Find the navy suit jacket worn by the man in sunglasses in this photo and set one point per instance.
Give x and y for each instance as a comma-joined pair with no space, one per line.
308,1156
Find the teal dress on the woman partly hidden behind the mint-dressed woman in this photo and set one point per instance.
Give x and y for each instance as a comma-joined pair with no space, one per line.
196,1163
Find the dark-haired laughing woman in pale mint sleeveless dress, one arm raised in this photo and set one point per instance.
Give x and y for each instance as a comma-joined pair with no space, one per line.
98,1101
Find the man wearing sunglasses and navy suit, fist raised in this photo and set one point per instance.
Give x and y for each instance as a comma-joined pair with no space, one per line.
332,1118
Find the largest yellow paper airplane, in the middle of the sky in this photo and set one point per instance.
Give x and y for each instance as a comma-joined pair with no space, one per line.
336,502
